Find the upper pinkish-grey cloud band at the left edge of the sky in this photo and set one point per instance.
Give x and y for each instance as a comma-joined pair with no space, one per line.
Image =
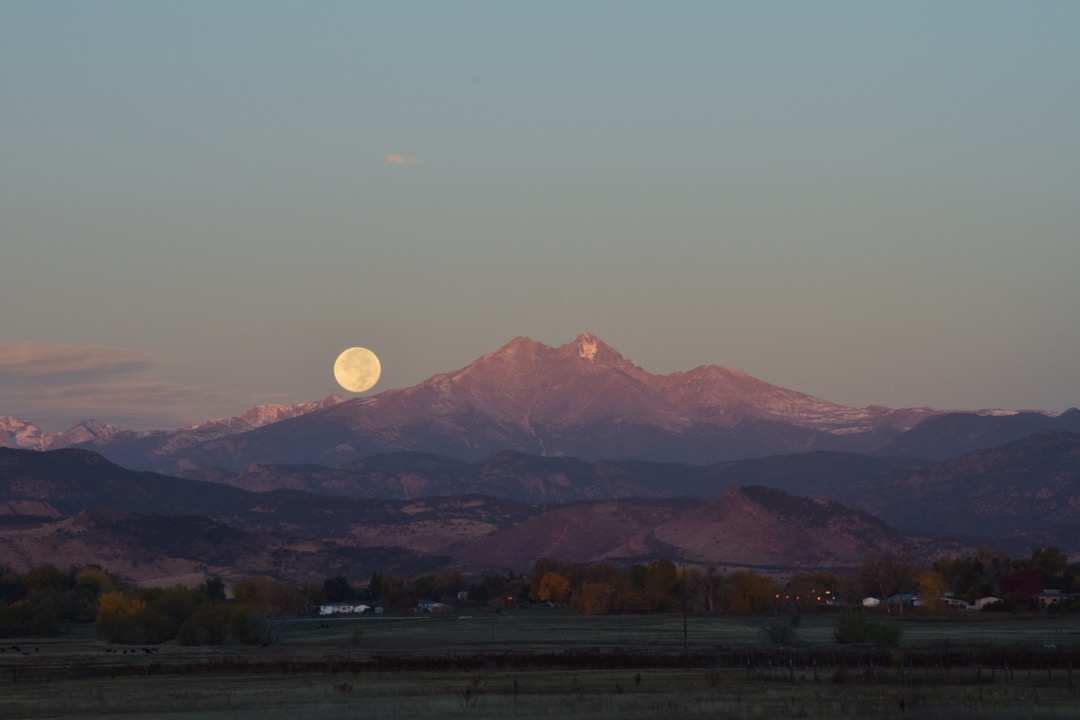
38,361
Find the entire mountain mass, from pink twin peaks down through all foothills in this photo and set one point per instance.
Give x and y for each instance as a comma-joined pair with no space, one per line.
572,453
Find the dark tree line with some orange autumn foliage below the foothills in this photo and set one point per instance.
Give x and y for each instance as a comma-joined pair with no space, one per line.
46,602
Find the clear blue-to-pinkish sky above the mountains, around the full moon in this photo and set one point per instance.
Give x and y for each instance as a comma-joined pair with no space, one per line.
202,203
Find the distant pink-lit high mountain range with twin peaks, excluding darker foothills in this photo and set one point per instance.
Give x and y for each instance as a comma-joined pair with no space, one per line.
583,400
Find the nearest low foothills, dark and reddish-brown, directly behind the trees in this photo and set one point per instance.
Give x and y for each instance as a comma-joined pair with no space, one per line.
73,507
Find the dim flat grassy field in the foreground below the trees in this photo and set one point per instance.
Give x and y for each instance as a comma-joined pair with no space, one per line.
551,664
